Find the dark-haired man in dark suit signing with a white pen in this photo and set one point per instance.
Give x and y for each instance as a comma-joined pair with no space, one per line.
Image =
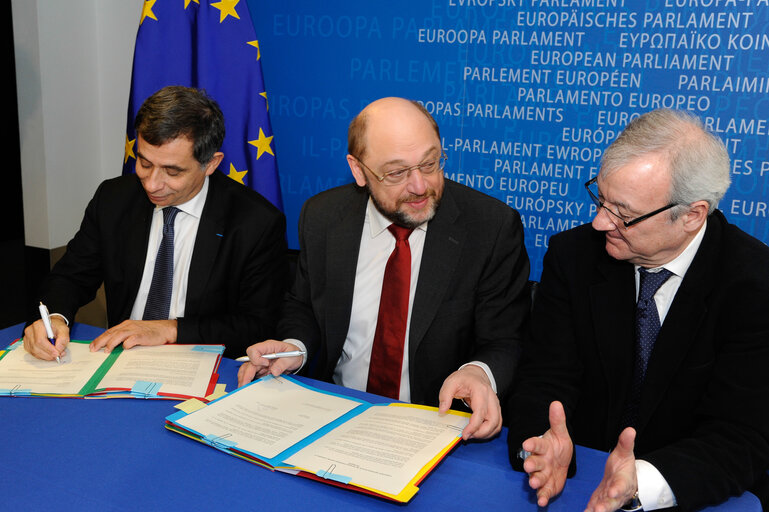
186,254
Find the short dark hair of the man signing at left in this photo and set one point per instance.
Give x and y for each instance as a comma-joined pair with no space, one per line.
177,111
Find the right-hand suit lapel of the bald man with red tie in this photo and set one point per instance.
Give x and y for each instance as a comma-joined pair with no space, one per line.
443,246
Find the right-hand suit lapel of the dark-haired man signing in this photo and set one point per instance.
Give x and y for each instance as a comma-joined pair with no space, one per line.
211,231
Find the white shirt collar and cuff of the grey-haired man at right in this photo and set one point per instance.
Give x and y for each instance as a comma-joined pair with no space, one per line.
653,490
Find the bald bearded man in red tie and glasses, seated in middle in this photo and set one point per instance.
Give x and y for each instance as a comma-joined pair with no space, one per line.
409,285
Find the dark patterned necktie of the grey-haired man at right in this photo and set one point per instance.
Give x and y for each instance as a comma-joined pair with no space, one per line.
647,327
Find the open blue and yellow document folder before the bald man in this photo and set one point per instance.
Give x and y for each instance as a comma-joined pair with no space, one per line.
280,423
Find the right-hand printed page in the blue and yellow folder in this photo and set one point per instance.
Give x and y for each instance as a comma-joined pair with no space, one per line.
383,448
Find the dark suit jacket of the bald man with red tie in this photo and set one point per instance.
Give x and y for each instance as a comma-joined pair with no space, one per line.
470,301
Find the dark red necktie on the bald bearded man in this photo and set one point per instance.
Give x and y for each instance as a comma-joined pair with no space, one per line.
384,373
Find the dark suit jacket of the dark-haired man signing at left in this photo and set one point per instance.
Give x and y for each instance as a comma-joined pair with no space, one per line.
237,273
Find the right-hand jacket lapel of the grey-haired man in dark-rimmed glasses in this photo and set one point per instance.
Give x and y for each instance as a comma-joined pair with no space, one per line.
678,332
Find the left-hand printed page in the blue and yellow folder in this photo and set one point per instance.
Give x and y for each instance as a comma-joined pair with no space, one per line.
268,416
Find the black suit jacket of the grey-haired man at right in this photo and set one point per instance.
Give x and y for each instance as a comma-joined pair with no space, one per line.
702,420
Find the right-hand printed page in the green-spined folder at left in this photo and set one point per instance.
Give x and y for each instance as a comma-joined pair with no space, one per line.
181,369
